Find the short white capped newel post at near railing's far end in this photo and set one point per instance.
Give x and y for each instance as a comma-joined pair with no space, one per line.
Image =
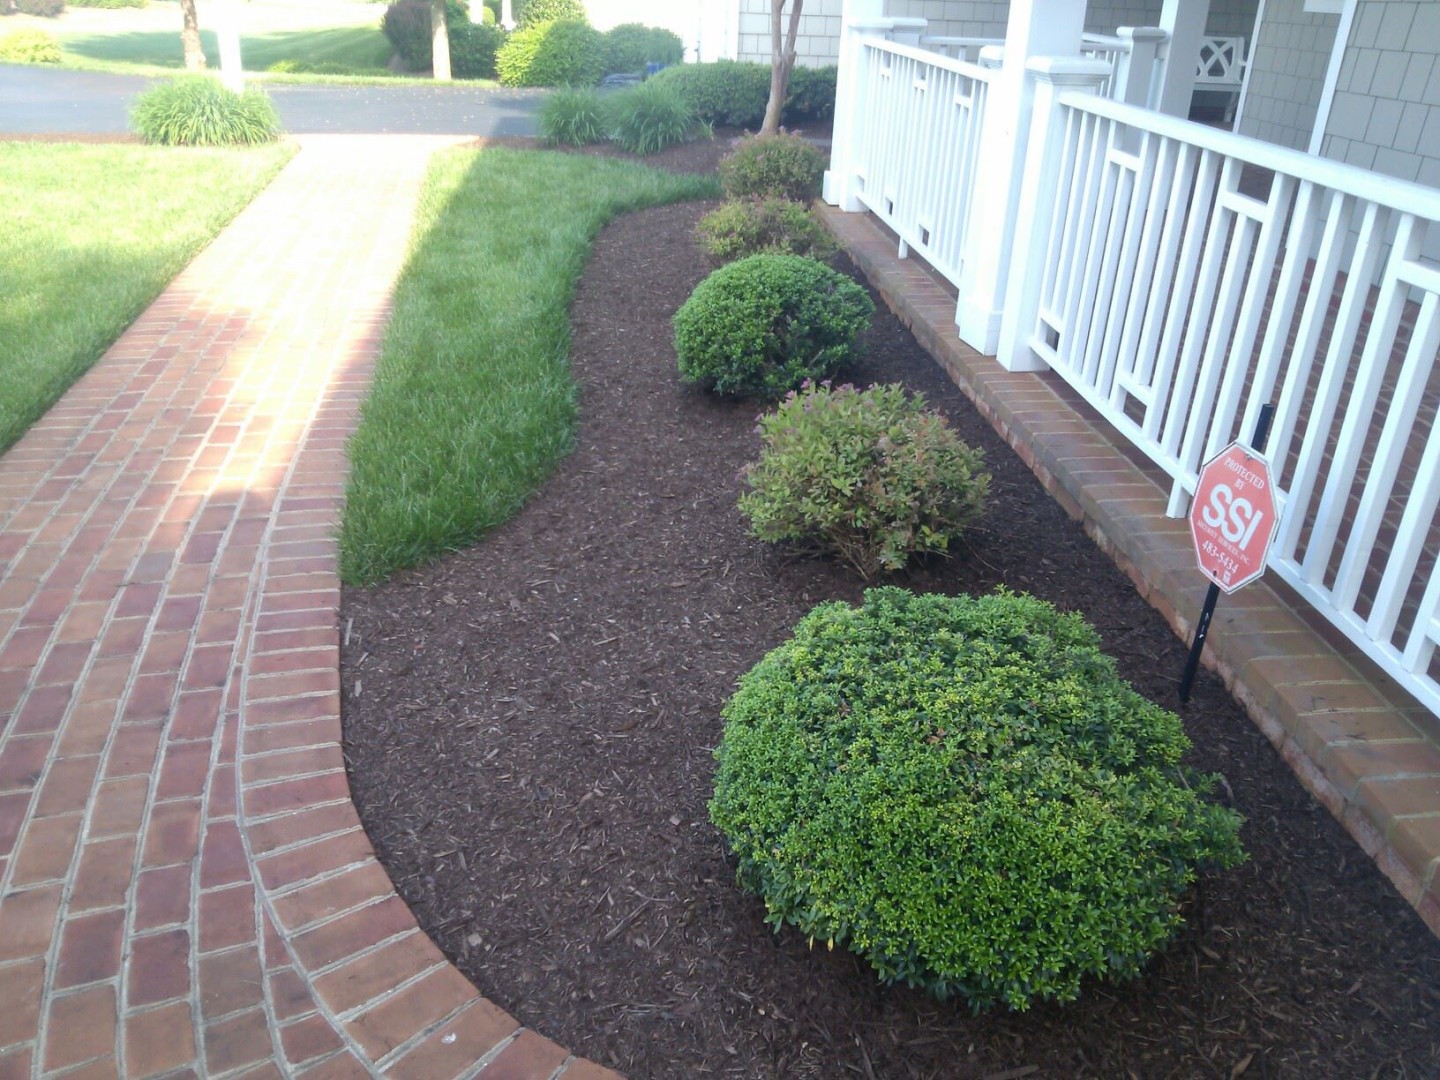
1039,192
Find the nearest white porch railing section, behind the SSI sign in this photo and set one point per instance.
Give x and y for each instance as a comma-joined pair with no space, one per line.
1182,277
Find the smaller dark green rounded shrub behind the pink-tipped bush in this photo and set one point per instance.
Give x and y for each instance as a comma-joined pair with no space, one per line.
765,325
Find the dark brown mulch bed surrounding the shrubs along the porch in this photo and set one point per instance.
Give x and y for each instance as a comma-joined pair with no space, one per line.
531,725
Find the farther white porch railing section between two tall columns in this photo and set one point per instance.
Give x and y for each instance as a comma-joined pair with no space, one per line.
915,156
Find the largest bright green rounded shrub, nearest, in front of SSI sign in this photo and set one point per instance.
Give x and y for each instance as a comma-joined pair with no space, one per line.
964,793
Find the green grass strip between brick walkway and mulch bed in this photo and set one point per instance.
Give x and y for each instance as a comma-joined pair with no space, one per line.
473,402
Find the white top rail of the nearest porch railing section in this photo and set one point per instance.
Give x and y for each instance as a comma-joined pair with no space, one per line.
1399,195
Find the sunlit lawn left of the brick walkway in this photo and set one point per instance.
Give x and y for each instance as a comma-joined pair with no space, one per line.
89,237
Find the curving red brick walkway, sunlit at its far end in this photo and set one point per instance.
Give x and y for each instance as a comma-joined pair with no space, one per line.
185,888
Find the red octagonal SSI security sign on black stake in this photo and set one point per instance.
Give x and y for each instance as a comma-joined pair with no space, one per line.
1233,516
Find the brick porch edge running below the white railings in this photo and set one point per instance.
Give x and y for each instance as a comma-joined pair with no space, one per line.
1363,745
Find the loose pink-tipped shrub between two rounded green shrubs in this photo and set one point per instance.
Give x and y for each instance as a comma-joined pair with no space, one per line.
869,476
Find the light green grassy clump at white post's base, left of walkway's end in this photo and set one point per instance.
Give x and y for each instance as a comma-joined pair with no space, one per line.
198,112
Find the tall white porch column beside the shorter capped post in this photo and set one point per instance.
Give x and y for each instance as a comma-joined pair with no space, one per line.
1052,28
